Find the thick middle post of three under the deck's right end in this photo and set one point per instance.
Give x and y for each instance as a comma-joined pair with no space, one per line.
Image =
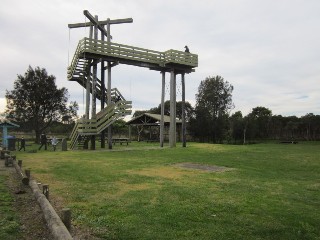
172,130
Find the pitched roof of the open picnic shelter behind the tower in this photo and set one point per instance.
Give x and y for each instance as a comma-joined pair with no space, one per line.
151,120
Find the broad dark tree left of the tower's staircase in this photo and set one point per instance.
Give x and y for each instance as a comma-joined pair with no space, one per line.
36,101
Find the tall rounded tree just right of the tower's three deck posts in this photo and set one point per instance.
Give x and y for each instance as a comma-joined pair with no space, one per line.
214,101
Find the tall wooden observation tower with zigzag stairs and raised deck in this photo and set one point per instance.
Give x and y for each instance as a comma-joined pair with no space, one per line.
92,51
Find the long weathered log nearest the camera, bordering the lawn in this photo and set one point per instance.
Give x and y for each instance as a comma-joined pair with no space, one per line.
55,225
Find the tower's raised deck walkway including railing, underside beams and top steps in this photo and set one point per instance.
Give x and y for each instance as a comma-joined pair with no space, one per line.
109,51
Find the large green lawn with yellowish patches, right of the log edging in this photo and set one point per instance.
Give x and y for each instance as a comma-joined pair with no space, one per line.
269,191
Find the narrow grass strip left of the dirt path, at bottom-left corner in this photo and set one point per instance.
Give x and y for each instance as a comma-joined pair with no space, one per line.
9,222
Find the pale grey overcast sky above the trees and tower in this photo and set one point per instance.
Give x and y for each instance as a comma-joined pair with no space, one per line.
269,50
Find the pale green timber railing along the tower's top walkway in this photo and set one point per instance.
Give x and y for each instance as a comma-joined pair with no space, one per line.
121,51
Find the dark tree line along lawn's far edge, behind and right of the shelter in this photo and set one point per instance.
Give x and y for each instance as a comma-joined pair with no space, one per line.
211,121
